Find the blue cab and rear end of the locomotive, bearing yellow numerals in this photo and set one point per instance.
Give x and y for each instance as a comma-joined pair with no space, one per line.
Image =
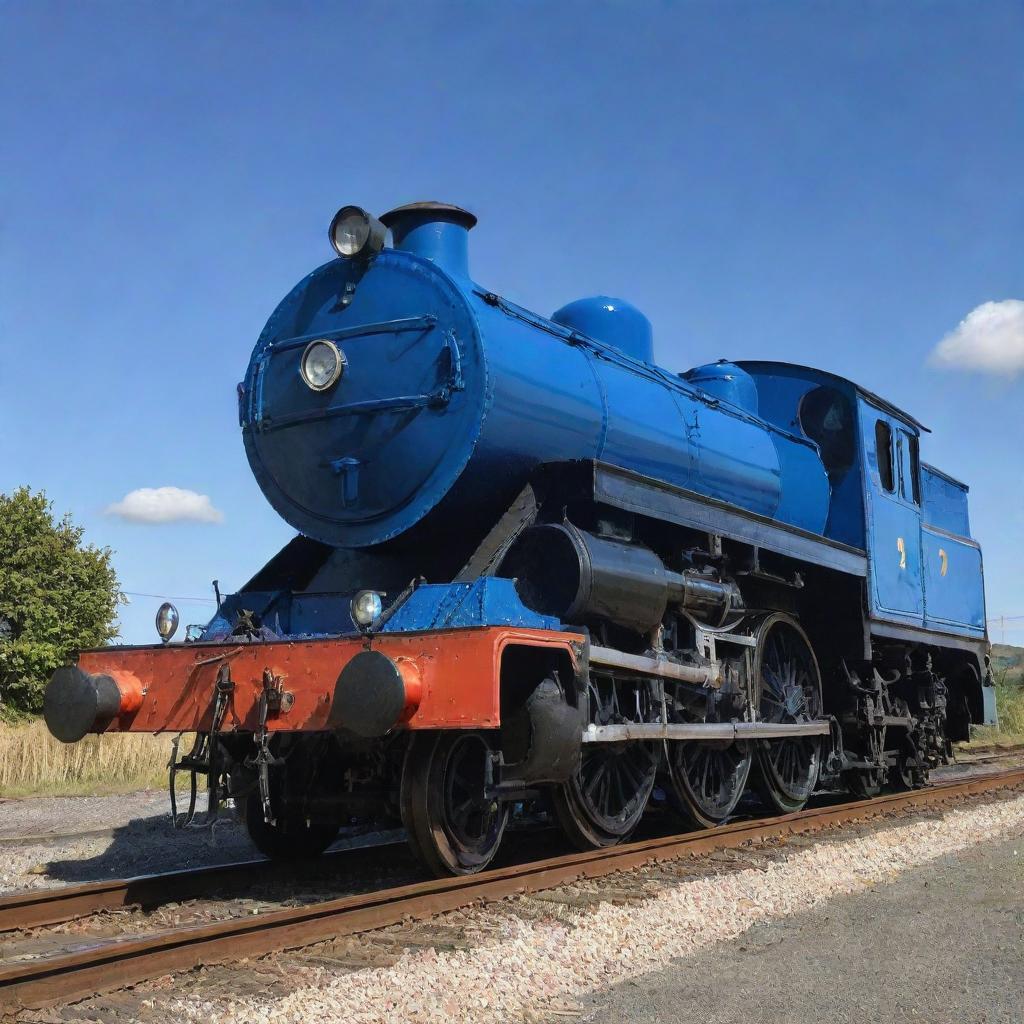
924,591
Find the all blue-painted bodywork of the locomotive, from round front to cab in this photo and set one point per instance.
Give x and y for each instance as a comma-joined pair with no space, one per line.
452,397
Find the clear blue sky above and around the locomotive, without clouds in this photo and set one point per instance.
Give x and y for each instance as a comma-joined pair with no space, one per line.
831,184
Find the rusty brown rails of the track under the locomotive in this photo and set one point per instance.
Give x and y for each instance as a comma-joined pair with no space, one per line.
102,964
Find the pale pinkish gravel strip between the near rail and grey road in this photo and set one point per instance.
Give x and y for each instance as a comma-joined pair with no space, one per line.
540,968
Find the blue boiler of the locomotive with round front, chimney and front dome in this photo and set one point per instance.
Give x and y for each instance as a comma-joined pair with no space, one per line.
451,394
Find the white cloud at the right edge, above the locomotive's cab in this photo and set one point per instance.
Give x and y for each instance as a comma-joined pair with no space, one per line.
990,339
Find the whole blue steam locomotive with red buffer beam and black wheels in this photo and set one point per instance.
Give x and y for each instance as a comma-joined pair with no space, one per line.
535,570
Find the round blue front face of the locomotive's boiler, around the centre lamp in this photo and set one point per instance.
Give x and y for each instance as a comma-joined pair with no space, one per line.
366,460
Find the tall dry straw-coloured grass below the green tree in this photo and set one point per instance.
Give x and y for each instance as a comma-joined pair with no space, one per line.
33,763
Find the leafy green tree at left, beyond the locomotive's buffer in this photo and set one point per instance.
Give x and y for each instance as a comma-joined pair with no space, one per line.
58,596
